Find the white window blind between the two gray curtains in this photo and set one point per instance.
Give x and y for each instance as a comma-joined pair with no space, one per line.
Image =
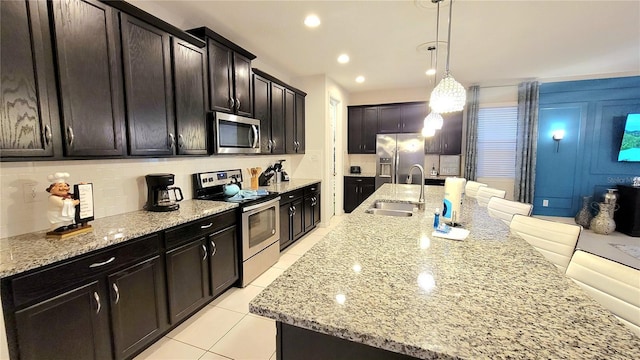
496,146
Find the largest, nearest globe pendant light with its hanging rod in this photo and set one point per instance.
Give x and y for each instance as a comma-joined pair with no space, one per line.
449,95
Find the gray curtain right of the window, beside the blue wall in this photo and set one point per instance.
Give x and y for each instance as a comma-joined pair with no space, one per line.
526,141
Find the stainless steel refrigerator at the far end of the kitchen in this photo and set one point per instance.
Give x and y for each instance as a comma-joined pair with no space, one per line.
395,155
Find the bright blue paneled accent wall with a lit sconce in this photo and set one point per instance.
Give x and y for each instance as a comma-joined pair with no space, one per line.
592,113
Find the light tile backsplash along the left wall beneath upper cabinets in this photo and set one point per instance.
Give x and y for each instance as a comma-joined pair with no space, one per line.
119,185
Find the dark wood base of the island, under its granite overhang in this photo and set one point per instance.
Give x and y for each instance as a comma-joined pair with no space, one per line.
293,342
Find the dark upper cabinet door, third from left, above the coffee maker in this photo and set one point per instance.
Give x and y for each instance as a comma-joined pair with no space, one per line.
147,78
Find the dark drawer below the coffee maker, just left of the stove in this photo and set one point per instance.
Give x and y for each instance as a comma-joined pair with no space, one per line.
211,224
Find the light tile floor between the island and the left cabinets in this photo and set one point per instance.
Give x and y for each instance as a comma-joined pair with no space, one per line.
224,329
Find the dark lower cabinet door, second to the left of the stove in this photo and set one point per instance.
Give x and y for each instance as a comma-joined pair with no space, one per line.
187,278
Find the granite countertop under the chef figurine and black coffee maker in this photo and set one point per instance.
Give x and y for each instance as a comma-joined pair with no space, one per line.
29,251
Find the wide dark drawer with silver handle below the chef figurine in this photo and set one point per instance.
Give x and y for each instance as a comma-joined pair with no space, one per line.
66,274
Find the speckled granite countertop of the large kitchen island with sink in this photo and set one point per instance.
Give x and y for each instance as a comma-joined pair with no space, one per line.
387,282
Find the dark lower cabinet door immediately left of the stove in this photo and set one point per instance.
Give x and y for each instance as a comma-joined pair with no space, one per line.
223,260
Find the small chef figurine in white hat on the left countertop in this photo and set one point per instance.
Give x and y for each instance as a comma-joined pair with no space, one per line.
61,208
